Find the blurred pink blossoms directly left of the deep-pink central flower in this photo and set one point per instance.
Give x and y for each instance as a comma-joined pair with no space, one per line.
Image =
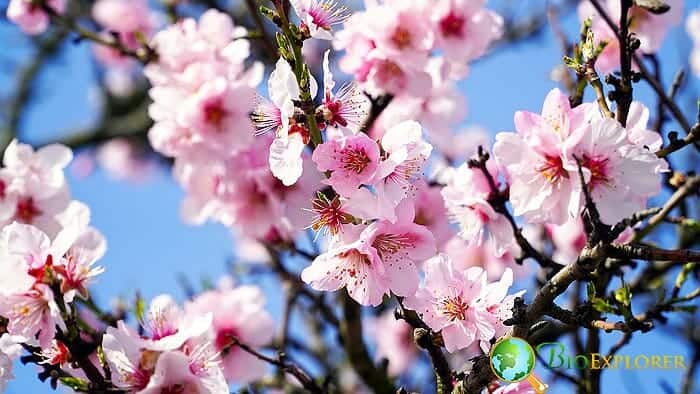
242,192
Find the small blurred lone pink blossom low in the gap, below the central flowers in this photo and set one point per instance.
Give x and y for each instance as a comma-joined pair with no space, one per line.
394,340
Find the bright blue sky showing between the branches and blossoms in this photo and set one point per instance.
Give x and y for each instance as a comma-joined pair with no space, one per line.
149,246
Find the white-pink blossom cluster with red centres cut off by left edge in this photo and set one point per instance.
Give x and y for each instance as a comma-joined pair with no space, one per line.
48,251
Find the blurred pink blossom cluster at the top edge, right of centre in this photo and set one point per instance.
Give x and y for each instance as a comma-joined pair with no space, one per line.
416,51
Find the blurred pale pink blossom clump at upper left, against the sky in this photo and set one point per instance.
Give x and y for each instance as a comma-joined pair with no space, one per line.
200,85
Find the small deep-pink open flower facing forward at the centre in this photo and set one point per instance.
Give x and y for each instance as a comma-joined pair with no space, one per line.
352,161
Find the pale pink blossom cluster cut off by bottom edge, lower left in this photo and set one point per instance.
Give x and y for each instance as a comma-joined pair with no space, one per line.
191,349
